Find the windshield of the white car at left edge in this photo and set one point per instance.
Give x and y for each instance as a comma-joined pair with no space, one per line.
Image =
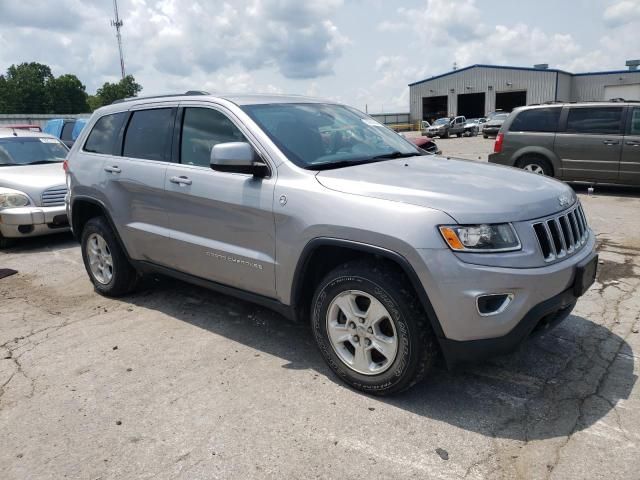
29,150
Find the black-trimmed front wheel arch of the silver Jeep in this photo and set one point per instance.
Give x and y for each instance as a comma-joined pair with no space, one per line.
312,266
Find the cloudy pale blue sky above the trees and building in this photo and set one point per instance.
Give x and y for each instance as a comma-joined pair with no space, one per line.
363,53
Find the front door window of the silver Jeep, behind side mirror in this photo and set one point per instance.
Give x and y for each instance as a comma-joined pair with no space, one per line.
202,128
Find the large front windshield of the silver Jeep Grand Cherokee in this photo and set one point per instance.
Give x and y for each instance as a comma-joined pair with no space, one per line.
318,136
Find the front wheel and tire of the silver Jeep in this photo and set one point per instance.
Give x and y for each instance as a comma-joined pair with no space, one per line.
402,320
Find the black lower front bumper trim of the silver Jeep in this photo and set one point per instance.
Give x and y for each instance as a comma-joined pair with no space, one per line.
543,316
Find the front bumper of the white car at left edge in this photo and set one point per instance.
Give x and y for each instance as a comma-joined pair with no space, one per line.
32,221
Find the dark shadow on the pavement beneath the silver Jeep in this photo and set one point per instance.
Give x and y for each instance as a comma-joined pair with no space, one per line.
555,385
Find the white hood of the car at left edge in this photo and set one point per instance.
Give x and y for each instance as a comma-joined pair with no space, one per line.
33,179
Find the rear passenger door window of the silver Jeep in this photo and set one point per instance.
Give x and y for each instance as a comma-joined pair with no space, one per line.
148,134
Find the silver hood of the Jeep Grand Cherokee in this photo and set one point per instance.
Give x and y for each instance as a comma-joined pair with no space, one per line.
469,191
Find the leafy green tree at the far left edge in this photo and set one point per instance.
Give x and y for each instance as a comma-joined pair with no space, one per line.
26,88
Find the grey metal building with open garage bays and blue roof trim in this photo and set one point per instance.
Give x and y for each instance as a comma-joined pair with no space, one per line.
478,89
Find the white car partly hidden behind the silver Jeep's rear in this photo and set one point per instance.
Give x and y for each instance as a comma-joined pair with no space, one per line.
32,185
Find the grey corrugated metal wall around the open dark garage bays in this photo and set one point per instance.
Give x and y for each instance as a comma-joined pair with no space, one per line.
540,87
